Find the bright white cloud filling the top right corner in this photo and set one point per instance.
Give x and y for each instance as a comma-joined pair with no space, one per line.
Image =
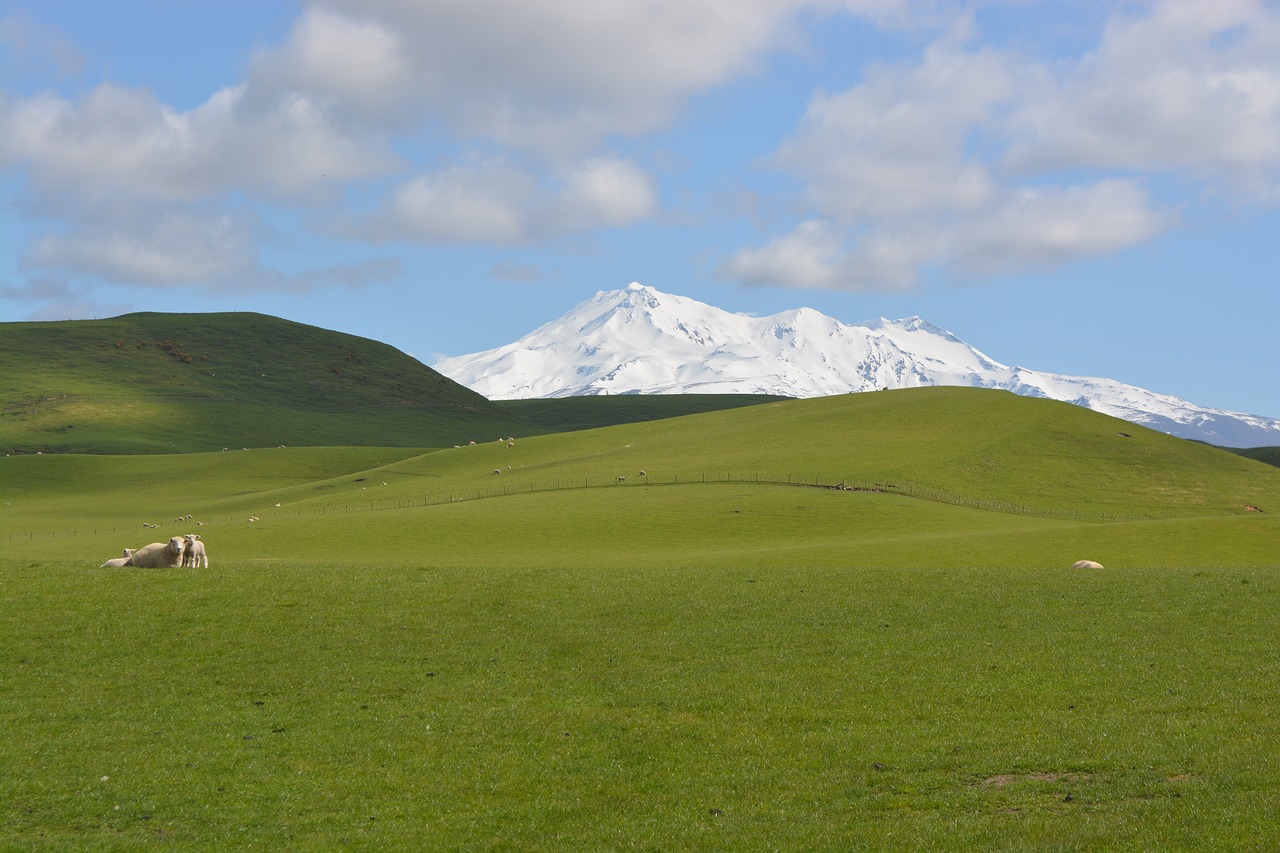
1187,86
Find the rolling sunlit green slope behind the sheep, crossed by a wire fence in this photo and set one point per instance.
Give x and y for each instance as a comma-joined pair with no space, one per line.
1054,471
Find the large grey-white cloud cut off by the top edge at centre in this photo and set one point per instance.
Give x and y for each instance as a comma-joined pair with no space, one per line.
557,77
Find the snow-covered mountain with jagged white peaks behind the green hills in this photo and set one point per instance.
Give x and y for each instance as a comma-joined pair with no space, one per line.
642,341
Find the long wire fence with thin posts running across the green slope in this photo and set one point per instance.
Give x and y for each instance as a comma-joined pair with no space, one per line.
506,489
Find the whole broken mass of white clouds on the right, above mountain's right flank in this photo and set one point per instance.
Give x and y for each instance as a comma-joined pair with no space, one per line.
959,162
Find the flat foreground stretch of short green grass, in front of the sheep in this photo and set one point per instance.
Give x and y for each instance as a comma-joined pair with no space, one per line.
785,706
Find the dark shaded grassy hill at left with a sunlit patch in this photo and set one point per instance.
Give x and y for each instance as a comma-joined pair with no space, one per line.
194,382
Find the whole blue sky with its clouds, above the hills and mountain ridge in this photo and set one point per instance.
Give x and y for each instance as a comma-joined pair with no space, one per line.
1090,189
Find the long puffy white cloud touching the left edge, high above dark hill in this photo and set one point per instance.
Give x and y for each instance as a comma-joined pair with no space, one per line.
121,140
